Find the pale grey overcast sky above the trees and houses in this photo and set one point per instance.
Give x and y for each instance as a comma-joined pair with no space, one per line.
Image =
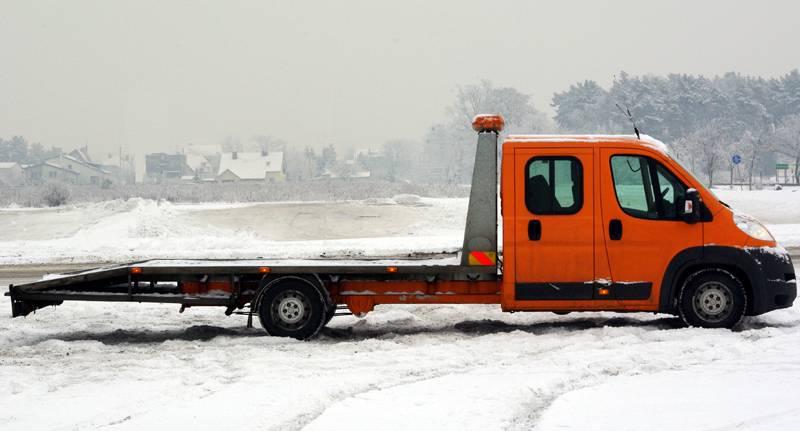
148,75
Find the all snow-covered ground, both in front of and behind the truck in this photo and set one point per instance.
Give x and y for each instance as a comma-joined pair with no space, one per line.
130,366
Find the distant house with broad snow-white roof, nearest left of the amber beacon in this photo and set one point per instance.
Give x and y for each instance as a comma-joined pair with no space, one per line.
252,166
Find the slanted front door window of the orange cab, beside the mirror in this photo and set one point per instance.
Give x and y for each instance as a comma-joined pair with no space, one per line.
646,189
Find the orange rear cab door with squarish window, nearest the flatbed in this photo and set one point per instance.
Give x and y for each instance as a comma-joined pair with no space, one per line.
554,236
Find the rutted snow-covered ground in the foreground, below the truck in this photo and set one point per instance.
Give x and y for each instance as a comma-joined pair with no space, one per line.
131,366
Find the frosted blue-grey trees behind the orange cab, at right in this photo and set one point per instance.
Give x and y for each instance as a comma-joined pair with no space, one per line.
706,120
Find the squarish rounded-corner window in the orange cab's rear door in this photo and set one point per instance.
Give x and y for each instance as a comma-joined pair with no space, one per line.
554,185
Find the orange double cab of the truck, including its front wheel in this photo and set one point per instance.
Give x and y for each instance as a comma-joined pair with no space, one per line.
615,223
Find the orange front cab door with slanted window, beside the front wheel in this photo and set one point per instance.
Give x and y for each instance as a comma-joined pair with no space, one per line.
642,201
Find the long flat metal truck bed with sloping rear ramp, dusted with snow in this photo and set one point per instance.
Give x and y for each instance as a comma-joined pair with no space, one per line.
223,282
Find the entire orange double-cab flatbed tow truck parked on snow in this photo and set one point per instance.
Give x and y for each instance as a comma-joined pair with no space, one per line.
591,223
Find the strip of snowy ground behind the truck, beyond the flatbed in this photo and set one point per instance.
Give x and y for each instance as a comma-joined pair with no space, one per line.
121,231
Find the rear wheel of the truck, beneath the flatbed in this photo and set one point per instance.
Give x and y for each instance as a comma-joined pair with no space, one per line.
292,307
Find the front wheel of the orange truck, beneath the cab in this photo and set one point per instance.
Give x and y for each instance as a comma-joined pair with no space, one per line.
712,298
